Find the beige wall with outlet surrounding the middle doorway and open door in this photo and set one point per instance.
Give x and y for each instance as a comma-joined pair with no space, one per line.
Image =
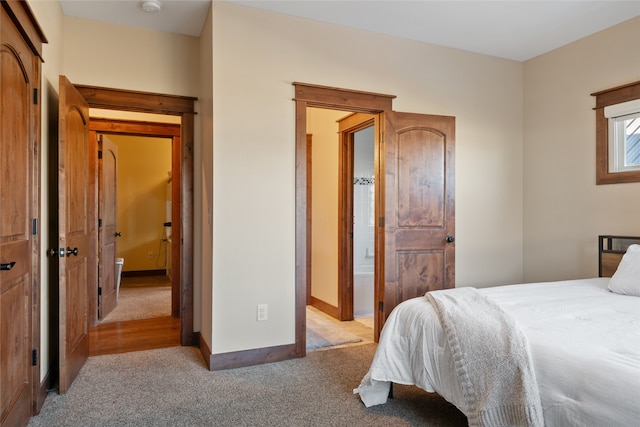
257,56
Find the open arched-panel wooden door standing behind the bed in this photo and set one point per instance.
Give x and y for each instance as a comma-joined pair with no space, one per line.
418,226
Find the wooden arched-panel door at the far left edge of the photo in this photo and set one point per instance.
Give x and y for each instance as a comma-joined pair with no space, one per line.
19,120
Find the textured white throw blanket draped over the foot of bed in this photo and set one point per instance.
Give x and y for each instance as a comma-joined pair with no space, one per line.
491,359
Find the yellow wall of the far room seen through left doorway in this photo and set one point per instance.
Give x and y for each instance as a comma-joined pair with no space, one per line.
143,167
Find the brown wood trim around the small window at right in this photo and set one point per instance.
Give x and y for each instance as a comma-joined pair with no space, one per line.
605,98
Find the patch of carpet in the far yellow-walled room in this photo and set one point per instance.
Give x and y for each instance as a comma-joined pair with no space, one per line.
141,302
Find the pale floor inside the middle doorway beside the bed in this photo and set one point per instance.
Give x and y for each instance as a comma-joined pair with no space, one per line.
325,331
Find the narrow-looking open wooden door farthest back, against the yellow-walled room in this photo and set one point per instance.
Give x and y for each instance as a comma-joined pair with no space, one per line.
107,213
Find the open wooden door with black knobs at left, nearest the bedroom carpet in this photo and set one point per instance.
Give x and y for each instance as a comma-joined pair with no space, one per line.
77,243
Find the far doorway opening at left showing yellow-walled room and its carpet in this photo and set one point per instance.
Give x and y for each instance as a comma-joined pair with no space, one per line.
143,231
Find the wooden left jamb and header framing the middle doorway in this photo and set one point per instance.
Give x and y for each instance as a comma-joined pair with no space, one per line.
308,95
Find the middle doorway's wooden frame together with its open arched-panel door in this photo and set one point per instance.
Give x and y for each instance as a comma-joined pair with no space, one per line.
414,218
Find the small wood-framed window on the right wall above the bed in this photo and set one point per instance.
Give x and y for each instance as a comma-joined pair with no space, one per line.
618,134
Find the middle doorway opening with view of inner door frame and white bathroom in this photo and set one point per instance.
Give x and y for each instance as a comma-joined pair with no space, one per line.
340,165
